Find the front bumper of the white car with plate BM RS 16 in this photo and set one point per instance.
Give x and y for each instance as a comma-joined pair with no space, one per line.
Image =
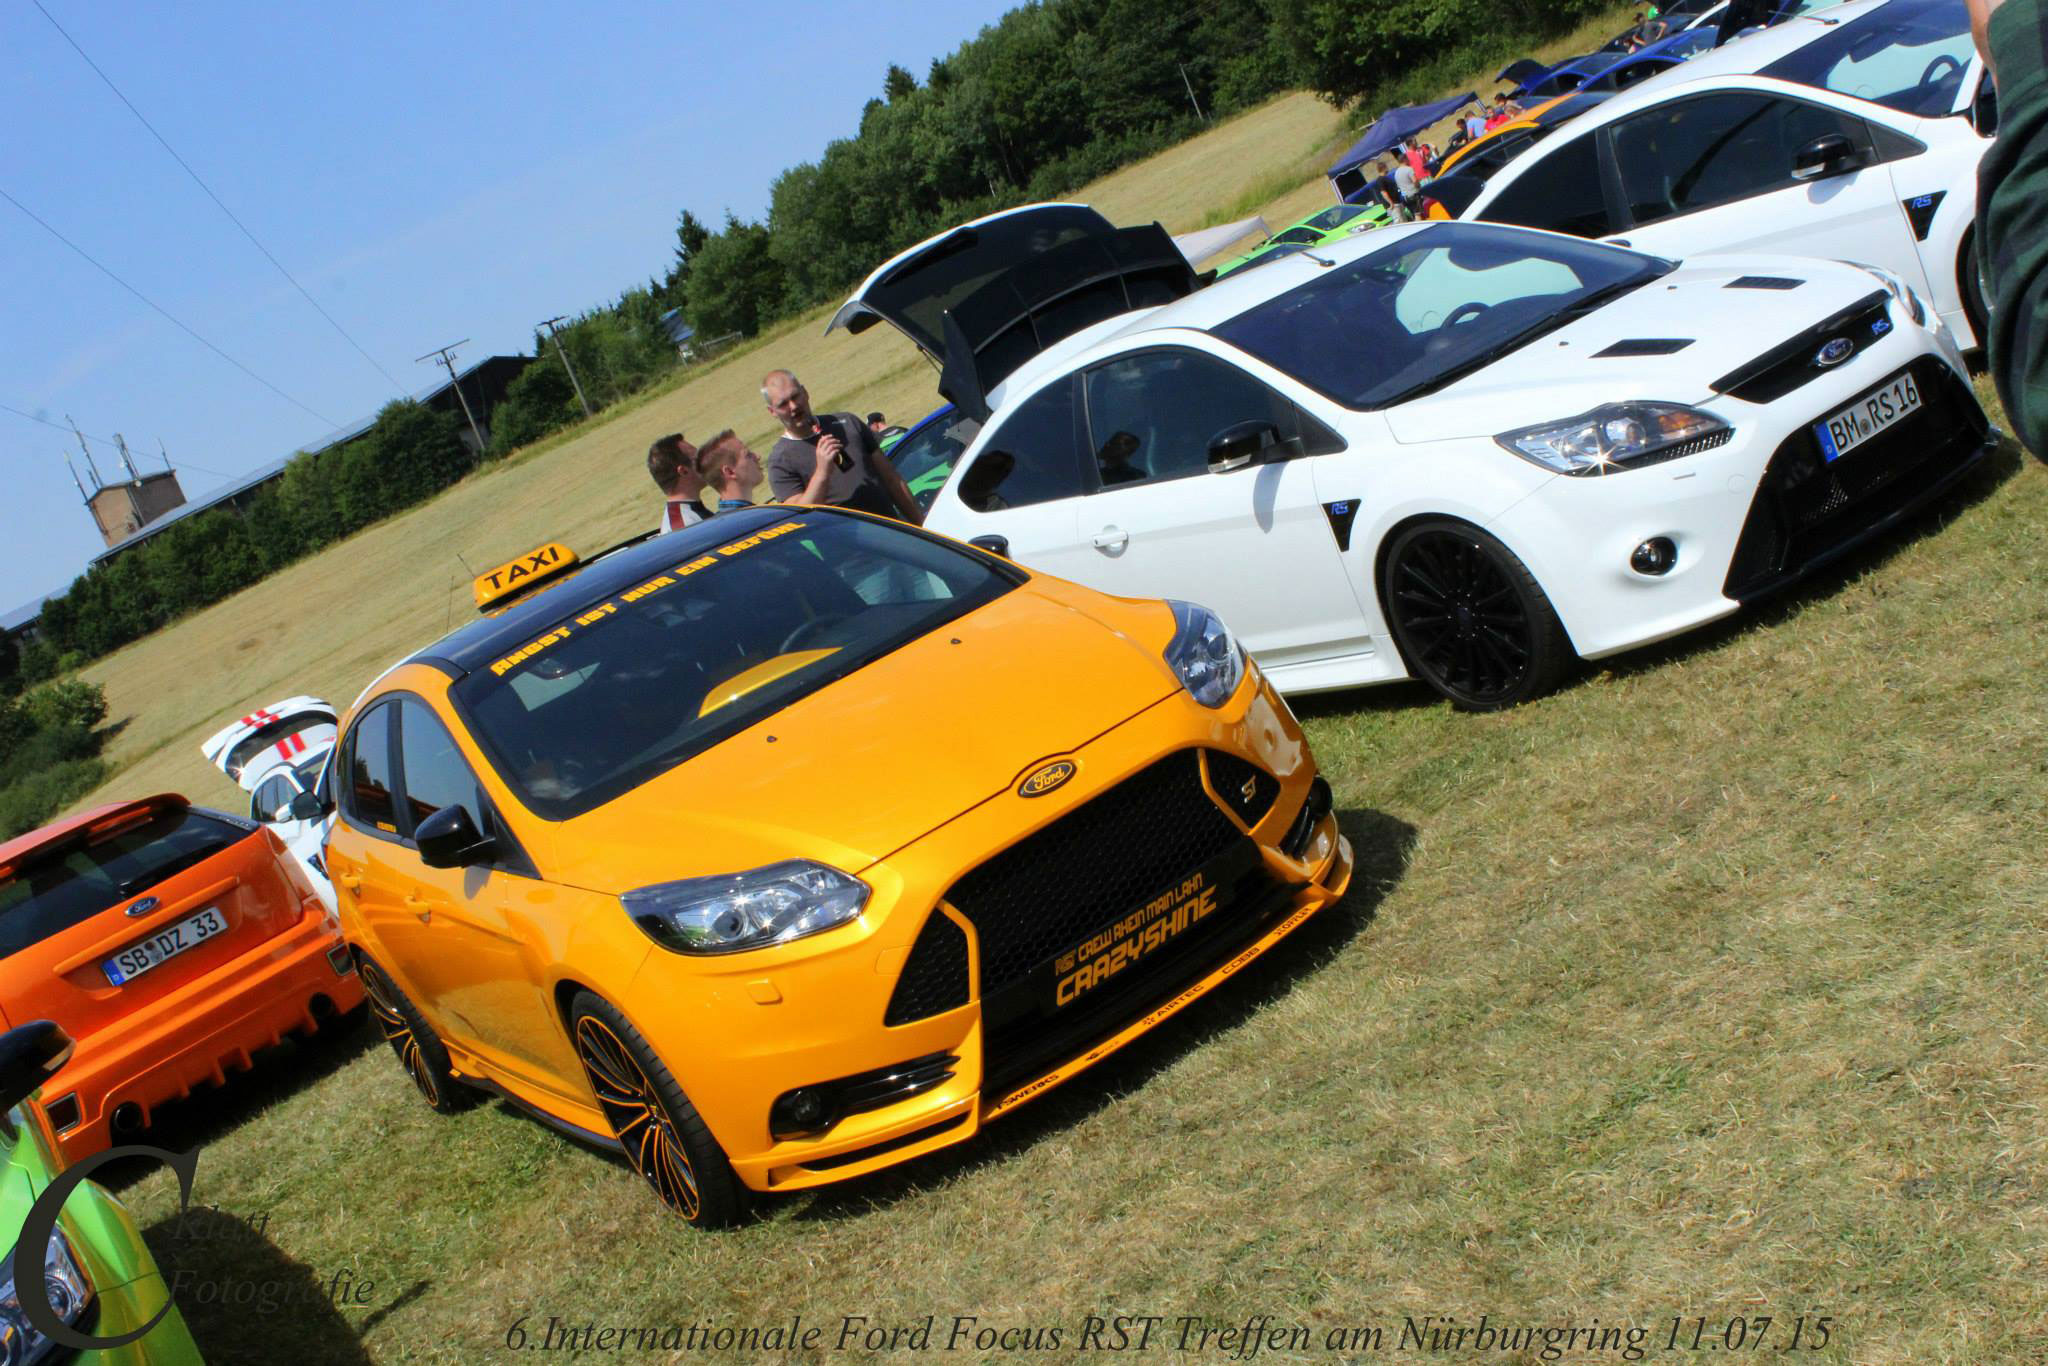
1754,515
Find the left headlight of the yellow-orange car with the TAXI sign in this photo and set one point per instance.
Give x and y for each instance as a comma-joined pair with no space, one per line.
746,910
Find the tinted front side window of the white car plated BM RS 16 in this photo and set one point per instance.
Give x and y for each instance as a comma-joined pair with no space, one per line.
1154,415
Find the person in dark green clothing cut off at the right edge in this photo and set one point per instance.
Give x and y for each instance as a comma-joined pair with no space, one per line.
2012,212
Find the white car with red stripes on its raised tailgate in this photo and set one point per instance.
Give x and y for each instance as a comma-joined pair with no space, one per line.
278,755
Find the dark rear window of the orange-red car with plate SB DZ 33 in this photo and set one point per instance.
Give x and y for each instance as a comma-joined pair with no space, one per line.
81,878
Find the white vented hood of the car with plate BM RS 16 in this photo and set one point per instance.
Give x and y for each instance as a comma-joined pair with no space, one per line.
1709,302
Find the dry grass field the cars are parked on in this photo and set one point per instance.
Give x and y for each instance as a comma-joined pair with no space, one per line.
1707,990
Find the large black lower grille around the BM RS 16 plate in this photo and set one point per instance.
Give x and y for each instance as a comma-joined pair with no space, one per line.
1809,511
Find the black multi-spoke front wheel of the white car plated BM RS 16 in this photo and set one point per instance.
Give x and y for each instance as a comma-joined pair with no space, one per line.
1469,617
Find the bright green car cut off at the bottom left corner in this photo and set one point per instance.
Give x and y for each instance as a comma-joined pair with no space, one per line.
97,1273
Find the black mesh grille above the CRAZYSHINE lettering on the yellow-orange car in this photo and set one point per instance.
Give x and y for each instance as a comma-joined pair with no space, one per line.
1093,865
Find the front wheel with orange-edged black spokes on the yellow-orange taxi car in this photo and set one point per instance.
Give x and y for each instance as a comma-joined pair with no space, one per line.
660,1132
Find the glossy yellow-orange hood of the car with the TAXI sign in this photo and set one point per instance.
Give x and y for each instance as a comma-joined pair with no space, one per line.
890,753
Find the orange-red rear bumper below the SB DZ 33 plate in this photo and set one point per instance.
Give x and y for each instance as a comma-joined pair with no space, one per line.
212,1027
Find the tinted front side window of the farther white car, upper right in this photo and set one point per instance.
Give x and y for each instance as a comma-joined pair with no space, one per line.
1719,148
